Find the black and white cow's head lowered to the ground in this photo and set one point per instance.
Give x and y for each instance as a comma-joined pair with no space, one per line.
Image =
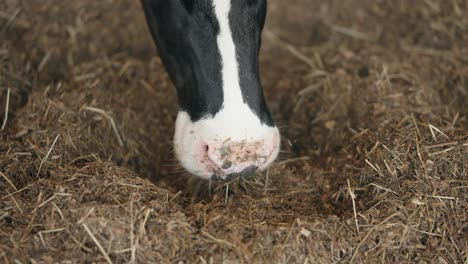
210,49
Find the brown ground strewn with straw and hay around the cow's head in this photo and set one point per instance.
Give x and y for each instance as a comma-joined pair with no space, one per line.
371,97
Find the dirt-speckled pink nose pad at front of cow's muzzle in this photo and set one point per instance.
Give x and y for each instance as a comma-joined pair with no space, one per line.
235,157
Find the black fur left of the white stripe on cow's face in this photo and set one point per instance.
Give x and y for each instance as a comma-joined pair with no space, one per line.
185,34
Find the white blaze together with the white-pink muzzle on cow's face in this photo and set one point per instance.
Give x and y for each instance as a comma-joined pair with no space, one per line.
234,139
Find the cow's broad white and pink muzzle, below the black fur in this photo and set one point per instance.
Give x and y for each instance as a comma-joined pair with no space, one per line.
228,143
